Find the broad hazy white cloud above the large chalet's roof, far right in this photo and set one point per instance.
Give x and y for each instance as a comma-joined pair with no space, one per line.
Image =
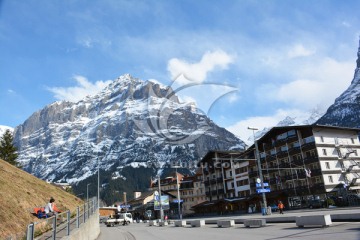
312,84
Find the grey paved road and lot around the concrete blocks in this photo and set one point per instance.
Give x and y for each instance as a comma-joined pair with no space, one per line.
337,231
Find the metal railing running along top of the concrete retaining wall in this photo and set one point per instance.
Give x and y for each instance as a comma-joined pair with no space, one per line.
61,224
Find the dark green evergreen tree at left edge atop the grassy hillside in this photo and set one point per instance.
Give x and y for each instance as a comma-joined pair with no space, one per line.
7,148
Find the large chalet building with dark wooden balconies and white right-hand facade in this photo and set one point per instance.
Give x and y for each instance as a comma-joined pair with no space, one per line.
305,162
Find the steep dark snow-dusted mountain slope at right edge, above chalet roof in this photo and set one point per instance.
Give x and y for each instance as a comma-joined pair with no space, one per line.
345,111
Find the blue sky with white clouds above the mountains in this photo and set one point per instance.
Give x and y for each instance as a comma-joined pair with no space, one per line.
283,57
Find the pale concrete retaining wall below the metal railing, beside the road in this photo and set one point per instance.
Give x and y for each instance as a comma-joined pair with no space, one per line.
89,230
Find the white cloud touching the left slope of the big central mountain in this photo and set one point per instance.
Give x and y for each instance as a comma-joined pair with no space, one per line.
84,88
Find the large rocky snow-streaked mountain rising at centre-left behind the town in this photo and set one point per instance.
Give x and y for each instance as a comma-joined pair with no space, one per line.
129,123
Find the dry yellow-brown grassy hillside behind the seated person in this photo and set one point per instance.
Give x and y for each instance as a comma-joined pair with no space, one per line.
20,192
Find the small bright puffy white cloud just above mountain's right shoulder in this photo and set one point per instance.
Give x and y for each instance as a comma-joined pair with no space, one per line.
197,72
